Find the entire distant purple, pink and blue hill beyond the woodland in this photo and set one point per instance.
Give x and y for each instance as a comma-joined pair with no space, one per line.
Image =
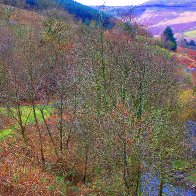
158,14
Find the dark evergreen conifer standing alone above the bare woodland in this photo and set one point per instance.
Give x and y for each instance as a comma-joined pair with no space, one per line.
168,39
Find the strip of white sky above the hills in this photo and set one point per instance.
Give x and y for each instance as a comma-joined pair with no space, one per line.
111,2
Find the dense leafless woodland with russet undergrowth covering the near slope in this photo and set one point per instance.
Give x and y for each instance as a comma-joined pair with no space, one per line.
88,109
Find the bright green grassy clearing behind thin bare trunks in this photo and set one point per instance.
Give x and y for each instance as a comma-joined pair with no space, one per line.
27,117
